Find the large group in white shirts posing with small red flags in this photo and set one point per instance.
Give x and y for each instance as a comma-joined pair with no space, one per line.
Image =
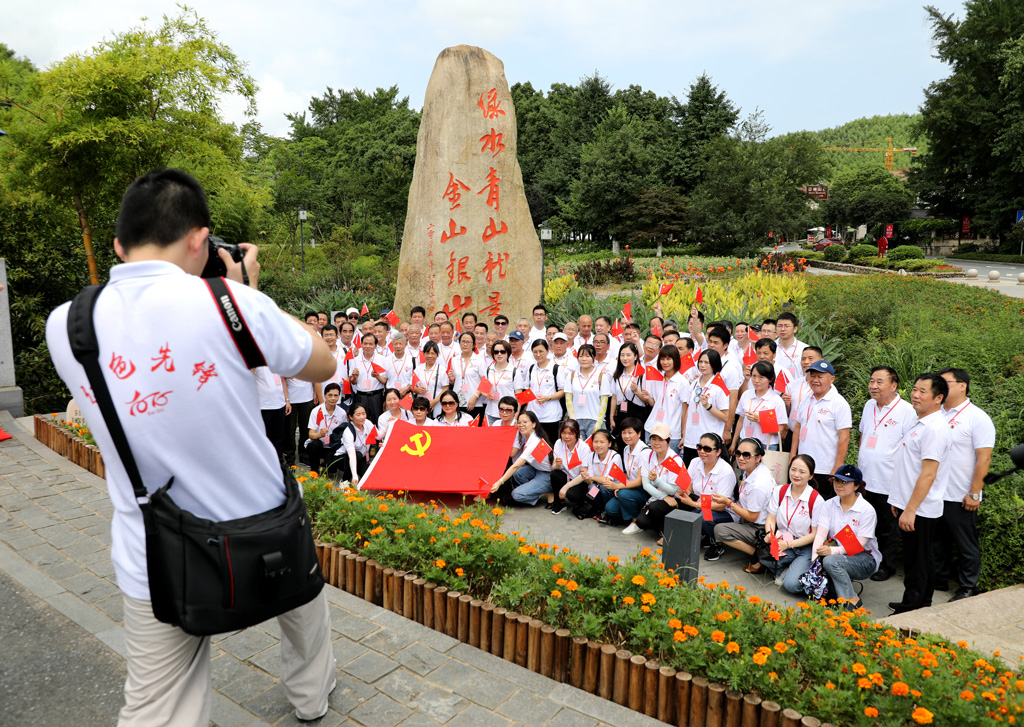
740,422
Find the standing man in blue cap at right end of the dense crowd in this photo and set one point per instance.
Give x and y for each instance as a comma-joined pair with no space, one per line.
822,426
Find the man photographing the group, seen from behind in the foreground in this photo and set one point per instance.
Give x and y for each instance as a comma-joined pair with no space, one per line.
200,396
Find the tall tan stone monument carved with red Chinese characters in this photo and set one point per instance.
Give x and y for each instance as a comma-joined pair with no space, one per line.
470,243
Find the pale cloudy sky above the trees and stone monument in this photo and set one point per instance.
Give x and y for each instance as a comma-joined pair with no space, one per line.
808,65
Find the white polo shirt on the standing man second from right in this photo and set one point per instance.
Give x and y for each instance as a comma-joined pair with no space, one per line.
928,440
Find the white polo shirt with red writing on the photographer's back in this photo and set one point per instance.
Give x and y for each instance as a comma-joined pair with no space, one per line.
182,391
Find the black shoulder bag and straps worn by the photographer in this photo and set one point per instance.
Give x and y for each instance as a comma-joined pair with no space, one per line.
205,577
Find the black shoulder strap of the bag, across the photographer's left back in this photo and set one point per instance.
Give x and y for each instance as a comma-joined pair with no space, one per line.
86,347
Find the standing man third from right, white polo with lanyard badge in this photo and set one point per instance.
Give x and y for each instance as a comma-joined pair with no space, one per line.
883,423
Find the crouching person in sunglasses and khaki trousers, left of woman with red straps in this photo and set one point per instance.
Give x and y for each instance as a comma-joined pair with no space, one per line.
751,510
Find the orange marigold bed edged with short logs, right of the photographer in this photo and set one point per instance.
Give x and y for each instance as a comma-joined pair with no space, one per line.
817,659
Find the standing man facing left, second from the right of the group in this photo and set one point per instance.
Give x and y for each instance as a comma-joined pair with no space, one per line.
918,490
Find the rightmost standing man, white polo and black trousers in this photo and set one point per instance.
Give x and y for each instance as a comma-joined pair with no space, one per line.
973,438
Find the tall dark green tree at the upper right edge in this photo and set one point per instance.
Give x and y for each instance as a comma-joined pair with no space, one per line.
974,118
